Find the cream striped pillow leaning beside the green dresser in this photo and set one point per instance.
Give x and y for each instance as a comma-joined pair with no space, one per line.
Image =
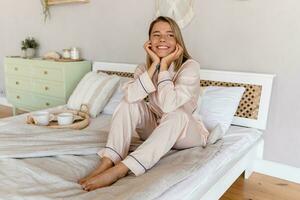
94,90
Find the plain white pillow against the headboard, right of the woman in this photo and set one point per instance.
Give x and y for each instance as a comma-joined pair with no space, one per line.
218,106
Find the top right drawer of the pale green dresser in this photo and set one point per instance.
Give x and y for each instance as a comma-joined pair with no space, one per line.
53,74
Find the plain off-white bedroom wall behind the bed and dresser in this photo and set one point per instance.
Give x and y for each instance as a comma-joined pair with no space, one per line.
254,35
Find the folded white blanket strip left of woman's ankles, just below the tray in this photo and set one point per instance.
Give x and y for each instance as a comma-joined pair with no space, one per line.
20,140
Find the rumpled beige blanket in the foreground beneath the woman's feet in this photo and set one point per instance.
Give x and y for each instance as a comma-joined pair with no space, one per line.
56,177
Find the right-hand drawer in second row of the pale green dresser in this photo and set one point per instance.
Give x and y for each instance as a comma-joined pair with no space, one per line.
49,88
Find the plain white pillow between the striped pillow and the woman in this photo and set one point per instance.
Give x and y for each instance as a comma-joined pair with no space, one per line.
116,98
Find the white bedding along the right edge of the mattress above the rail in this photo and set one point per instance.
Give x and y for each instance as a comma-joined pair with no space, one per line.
234,144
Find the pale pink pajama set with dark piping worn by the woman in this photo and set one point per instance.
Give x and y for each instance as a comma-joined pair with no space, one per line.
167,121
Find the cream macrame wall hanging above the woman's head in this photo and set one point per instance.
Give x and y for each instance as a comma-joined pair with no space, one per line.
180,10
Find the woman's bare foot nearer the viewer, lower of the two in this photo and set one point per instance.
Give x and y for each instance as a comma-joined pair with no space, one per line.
106,178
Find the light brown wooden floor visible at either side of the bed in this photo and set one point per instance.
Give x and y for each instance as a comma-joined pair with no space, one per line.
257,187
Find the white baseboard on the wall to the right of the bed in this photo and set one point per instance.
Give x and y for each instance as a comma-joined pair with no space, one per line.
278,170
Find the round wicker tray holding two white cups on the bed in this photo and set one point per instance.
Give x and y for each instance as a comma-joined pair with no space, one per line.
81,119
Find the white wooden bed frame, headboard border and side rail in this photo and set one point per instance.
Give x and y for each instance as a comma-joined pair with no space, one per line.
247,162
